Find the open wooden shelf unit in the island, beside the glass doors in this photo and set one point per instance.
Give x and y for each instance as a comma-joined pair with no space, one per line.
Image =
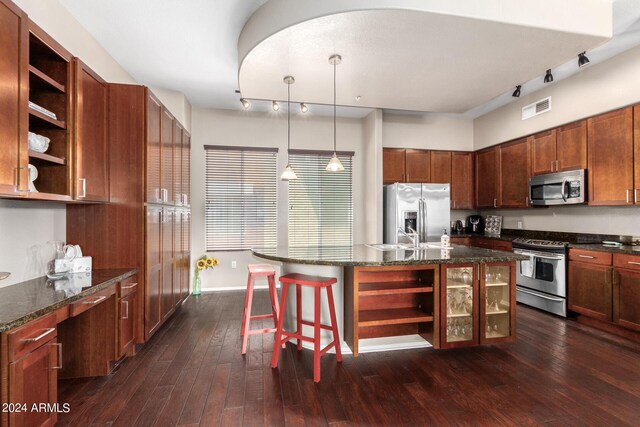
390,301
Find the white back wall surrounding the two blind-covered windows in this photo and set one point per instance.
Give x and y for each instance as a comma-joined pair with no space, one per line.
241,128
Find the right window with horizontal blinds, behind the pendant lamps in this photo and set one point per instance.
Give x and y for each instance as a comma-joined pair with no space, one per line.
320,202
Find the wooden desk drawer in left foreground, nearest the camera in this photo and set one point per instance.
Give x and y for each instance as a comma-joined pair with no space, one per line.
30,336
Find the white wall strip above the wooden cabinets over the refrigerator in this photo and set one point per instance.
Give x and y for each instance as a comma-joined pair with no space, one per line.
427,131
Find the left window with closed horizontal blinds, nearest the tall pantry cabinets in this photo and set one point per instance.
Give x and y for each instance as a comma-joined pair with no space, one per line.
240,199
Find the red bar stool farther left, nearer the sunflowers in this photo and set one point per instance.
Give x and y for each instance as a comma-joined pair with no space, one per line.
259,270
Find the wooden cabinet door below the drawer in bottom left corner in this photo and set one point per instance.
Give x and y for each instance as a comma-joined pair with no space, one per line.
33,380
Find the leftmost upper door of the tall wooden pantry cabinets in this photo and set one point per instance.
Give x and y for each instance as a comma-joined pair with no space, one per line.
154,118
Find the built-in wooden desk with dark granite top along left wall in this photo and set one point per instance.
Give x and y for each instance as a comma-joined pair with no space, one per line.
51,330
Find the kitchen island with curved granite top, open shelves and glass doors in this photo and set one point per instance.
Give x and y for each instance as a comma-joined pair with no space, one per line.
391,298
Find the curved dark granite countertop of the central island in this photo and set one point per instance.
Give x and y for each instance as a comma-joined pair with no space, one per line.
363,255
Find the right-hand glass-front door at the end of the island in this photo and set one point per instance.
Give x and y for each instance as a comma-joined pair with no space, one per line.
497,302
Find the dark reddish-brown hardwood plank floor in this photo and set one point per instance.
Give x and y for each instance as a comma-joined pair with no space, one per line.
192,373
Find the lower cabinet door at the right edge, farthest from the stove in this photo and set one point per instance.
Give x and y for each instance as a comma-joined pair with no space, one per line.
626,298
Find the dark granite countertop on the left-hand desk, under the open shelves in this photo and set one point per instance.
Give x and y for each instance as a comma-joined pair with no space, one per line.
28,300
